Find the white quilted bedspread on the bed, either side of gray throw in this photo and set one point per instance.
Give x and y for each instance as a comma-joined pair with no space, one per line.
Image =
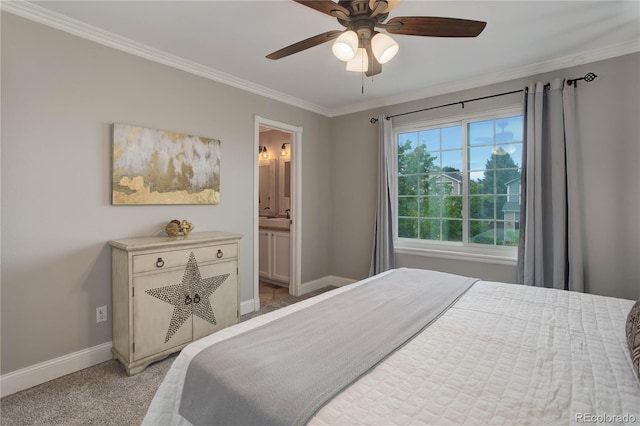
497,354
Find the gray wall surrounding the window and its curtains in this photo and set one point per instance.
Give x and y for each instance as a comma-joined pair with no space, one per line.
609,129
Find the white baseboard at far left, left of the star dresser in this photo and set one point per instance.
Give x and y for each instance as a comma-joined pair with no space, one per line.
40,373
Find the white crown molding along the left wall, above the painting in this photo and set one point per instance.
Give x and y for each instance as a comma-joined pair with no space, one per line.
78,28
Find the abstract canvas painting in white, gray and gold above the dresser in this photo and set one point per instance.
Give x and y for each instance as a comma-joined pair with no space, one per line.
162,167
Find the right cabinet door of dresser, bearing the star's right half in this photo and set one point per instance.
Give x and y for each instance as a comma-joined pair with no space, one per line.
221,308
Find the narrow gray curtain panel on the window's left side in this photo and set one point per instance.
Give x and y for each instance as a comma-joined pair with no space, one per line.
382,257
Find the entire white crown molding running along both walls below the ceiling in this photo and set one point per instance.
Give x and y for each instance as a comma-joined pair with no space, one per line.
78,28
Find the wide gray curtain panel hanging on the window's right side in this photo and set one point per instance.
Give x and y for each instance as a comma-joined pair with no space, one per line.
550,250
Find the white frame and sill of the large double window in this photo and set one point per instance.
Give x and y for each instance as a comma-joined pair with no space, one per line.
450,249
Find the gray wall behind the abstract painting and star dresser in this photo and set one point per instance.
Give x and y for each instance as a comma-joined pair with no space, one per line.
60,95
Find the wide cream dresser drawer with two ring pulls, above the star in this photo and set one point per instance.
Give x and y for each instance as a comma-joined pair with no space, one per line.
179,258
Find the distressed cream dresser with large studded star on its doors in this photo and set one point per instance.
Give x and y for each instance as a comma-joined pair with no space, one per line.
169,291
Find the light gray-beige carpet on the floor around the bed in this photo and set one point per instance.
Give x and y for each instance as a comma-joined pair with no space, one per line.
102,394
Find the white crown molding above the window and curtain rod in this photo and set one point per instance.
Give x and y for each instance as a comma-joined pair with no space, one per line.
580,58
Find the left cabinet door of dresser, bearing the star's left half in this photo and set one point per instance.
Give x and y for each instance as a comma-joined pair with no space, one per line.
161,313
